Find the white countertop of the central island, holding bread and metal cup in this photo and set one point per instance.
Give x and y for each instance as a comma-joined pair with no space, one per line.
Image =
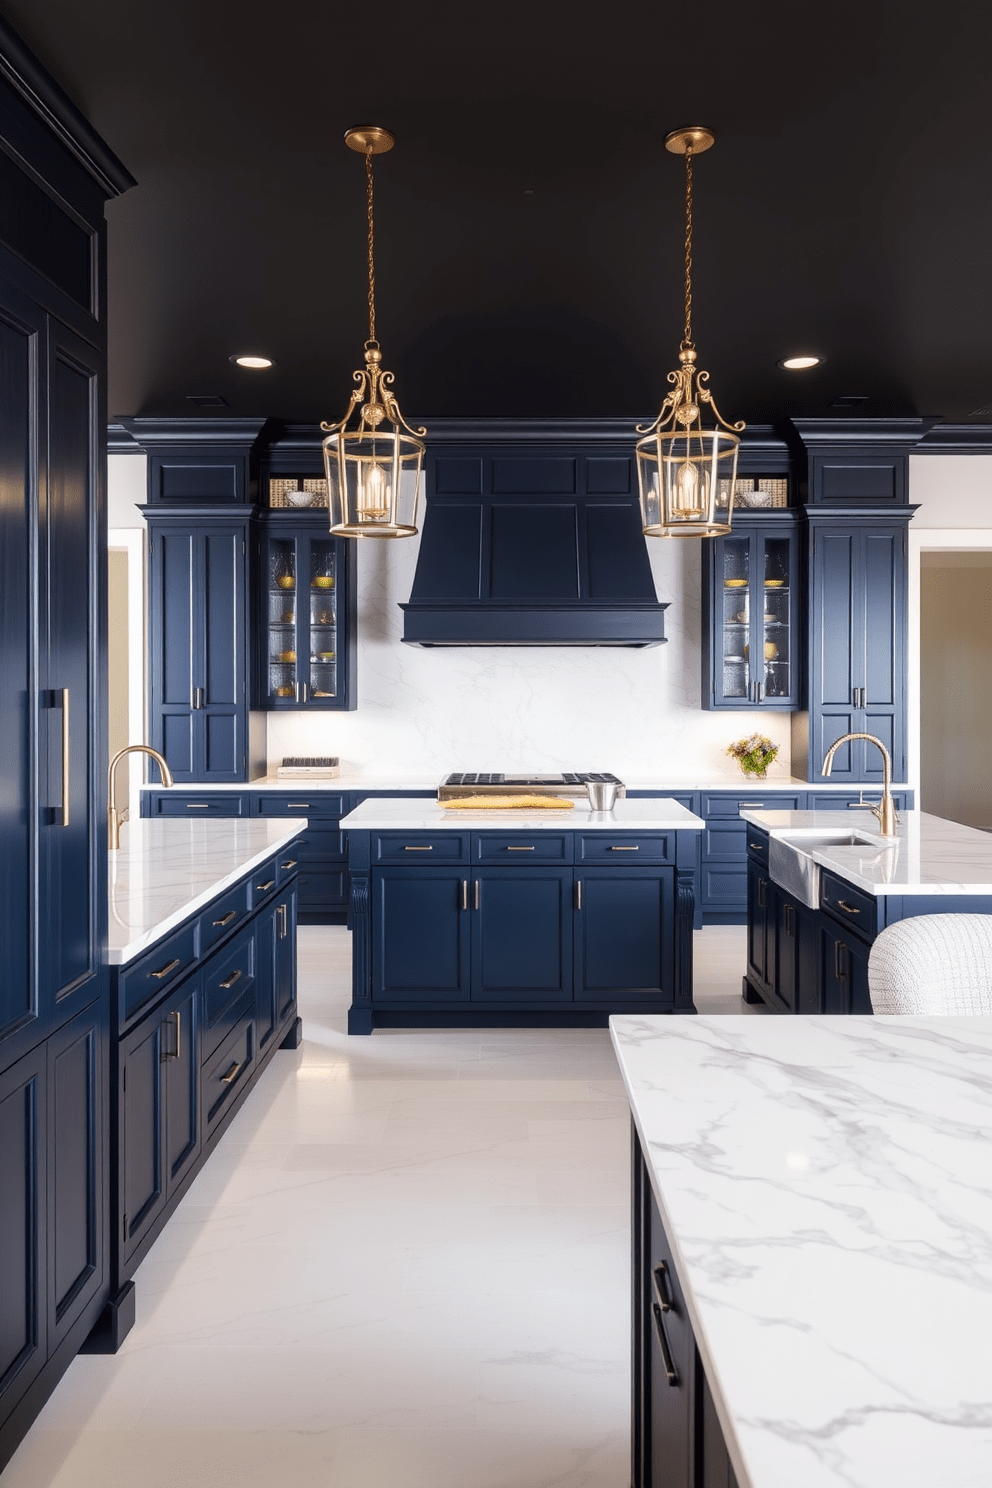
410,815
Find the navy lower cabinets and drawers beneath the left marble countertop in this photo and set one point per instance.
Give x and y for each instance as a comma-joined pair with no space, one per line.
182,1066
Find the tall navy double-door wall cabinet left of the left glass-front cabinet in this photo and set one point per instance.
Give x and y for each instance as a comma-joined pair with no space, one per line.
199,627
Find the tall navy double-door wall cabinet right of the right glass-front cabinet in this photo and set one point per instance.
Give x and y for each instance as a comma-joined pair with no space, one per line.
856,658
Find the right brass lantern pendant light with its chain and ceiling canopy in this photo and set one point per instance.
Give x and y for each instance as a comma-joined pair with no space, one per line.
686,474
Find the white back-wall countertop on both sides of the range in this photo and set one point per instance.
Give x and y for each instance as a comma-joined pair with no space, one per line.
429,780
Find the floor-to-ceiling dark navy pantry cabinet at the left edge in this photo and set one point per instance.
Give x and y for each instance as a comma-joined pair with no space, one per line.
56,178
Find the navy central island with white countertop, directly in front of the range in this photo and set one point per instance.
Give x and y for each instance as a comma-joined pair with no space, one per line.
520,919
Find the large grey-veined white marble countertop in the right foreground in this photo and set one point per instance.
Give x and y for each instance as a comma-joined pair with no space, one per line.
828,1190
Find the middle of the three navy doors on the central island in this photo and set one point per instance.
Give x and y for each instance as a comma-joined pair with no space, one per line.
521,937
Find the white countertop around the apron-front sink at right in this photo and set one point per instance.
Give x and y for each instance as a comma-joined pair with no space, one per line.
930,856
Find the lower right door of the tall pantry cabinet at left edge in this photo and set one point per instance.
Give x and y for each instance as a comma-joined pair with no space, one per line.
77,1111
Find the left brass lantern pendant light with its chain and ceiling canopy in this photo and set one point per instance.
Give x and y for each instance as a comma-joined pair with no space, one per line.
374,474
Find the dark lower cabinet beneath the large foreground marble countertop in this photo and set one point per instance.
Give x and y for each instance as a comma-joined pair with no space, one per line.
676,1437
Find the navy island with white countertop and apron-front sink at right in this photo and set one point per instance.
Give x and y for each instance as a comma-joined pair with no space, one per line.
810,943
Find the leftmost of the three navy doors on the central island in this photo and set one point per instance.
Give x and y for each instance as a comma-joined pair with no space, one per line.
422,949
